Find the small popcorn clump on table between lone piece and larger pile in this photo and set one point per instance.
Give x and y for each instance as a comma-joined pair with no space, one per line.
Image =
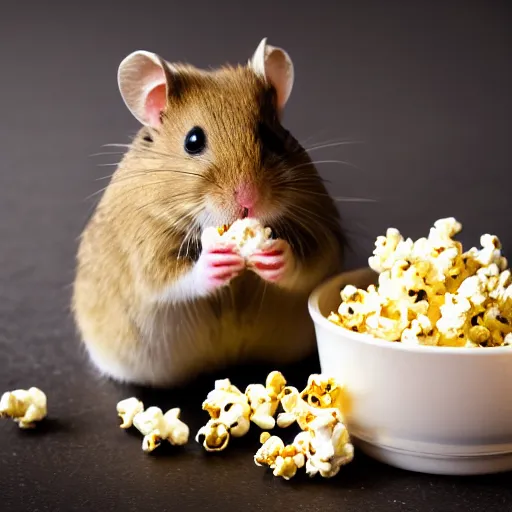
155,426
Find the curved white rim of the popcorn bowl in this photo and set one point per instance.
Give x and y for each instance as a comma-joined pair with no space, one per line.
366,339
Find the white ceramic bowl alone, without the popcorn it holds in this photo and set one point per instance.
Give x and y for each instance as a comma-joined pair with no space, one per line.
429,409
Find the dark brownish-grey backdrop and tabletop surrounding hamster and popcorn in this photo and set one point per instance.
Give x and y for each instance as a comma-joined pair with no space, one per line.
426,86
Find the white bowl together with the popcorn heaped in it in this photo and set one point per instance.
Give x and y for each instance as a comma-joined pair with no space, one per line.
421,340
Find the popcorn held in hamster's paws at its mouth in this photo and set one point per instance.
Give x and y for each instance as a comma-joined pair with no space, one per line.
247,234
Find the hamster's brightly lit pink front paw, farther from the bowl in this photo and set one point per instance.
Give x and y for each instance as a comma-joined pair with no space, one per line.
218,265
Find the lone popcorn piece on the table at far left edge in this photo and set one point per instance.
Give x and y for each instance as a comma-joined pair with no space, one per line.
25,407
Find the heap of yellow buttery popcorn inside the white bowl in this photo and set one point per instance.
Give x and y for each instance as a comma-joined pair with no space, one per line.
430,292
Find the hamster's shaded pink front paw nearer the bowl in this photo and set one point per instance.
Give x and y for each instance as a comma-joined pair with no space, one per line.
275,263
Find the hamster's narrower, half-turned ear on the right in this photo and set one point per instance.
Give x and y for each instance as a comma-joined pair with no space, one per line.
276,66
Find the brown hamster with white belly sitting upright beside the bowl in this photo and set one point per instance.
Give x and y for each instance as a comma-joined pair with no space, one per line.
153,303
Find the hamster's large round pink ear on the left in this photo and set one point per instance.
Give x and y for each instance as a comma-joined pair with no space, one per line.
144,81
